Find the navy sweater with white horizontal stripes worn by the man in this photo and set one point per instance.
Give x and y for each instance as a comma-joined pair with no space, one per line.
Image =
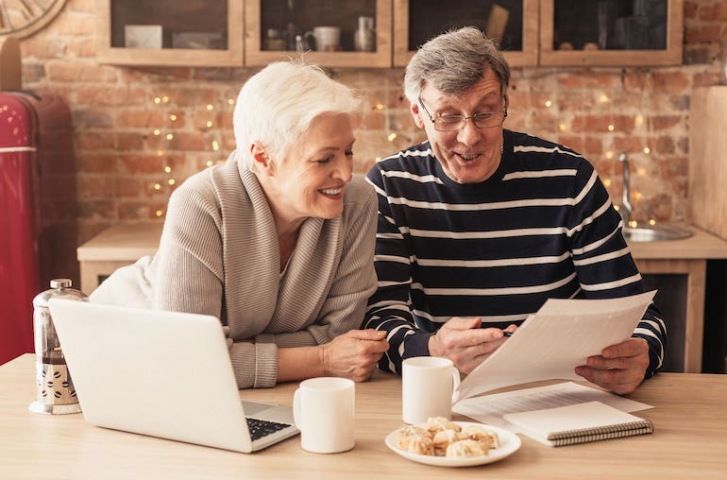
541,227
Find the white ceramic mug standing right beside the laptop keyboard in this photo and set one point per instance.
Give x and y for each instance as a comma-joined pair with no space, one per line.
323,409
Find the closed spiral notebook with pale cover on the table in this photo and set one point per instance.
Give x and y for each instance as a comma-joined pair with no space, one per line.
578,423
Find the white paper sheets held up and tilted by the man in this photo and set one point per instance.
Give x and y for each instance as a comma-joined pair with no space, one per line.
555,340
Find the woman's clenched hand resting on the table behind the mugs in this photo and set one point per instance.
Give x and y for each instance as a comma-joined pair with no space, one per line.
354,354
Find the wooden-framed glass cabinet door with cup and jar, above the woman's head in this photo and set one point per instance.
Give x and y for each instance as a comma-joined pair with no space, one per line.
272,26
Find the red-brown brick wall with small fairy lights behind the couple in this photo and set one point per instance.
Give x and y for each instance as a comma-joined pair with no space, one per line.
139,132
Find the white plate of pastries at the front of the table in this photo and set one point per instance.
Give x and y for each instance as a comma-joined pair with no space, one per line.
447,443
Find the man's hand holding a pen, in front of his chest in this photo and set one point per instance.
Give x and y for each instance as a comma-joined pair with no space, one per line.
465,343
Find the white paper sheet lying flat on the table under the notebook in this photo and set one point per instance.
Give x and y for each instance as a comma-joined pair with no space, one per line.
491,408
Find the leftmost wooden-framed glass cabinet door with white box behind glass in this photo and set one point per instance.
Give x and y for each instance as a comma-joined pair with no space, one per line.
170,32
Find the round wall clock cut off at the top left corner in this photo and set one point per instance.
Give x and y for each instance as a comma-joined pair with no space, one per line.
23,18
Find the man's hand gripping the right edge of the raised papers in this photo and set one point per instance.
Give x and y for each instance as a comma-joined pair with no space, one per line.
620,368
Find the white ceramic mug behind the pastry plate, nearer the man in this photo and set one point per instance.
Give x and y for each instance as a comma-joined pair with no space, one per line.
428,386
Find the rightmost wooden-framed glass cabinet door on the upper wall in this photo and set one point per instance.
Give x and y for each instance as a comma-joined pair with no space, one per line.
611,32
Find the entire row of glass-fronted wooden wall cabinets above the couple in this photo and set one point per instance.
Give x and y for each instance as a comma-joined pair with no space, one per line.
253,33
